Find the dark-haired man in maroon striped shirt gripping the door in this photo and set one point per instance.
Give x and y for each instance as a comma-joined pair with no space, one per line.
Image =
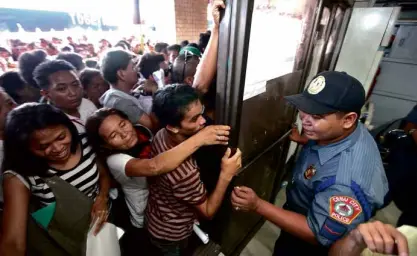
177,197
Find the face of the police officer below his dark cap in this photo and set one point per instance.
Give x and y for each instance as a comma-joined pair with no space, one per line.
322,127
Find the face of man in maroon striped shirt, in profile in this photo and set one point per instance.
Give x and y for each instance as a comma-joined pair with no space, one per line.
193,120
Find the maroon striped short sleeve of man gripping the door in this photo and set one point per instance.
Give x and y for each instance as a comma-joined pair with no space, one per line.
190,189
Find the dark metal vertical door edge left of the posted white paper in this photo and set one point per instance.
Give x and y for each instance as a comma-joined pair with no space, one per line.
233,45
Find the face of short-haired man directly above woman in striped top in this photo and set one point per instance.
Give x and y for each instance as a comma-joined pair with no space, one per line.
65,91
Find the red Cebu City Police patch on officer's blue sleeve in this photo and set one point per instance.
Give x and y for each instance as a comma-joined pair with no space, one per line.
344,209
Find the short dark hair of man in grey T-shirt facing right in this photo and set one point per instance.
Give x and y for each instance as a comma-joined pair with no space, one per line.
112,62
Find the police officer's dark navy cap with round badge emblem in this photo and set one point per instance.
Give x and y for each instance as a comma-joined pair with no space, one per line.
330,92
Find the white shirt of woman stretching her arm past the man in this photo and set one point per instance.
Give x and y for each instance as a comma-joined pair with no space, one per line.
135,188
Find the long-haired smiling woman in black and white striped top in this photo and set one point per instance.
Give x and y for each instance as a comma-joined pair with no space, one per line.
40,142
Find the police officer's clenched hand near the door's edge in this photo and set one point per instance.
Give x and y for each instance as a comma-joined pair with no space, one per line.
245,199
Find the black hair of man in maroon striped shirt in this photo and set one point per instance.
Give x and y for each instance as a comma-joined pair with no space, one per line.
171,103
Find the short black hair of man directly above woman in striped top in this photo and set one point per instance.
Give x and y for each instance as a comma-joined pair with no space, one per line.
47,68
